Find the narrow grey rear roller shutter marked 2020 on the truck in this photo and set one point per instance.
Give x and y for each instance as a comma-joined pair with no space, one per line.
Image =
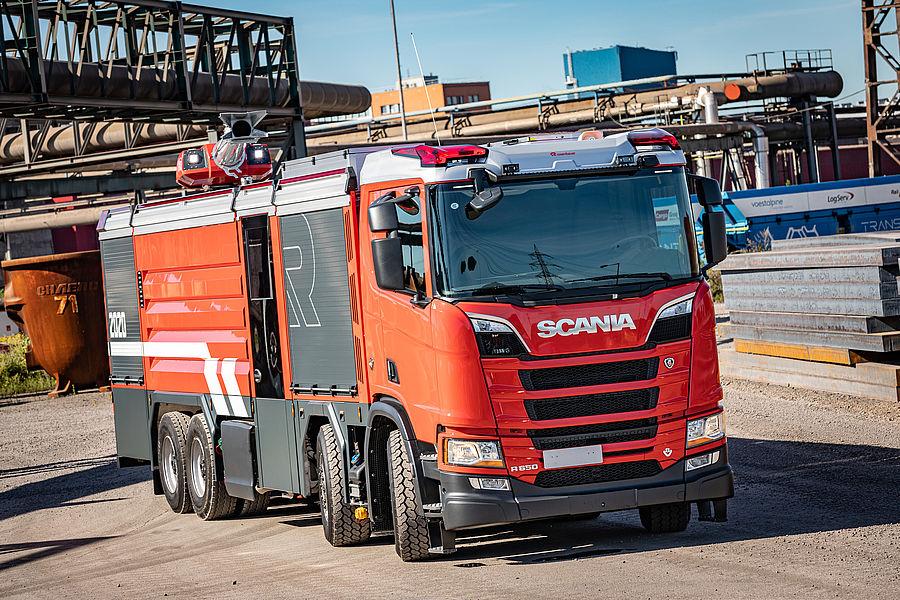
120,284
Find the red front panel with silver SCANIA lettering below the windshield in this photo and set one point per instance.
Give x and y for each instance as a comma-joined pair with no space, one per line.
555,330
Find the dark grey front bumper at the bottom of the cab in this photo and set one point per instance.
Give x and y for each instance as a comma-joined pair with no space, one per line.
465,507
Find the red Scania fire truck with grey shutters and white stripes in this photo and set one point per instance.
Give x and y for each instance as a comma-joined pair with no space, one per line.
427,339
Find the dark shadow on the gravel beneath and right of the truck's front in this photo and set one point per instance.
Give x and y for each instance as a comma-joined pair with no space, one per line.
781,488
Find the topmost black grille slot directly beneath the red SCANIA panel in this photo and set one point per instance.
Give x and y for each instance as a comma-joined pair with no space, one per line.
586,375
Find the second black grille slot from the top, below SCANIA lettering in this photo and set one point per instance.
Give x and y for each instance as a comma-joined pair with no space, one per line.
591,404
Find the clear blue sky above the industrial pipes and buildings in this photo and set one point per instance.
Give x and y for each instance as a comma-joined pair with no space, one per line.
518,45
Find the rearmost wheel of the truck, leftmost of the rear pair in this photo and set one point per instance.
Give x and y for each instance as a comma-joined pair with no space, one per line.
171,450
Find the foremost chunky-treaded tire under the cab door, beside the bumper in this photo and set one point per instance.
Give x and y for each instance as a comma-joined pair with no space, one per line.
410,526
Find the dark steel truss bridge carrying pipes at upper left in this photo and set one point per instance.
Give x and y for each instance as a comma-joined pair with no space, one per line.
68,65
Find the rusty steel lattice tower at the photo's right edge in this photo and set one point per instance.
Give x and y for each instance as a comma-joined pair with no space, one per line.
881,42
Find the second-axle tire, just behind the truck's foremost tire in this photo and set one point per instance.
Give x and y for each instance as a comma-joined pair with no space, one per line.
338,521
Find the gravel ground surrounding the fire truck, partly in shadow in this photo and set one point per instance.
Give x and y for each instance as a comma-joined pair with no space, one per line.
816,515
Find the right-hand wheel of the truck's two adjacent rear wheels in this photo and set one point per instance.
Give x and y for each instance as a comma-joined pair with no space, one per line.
207,492
